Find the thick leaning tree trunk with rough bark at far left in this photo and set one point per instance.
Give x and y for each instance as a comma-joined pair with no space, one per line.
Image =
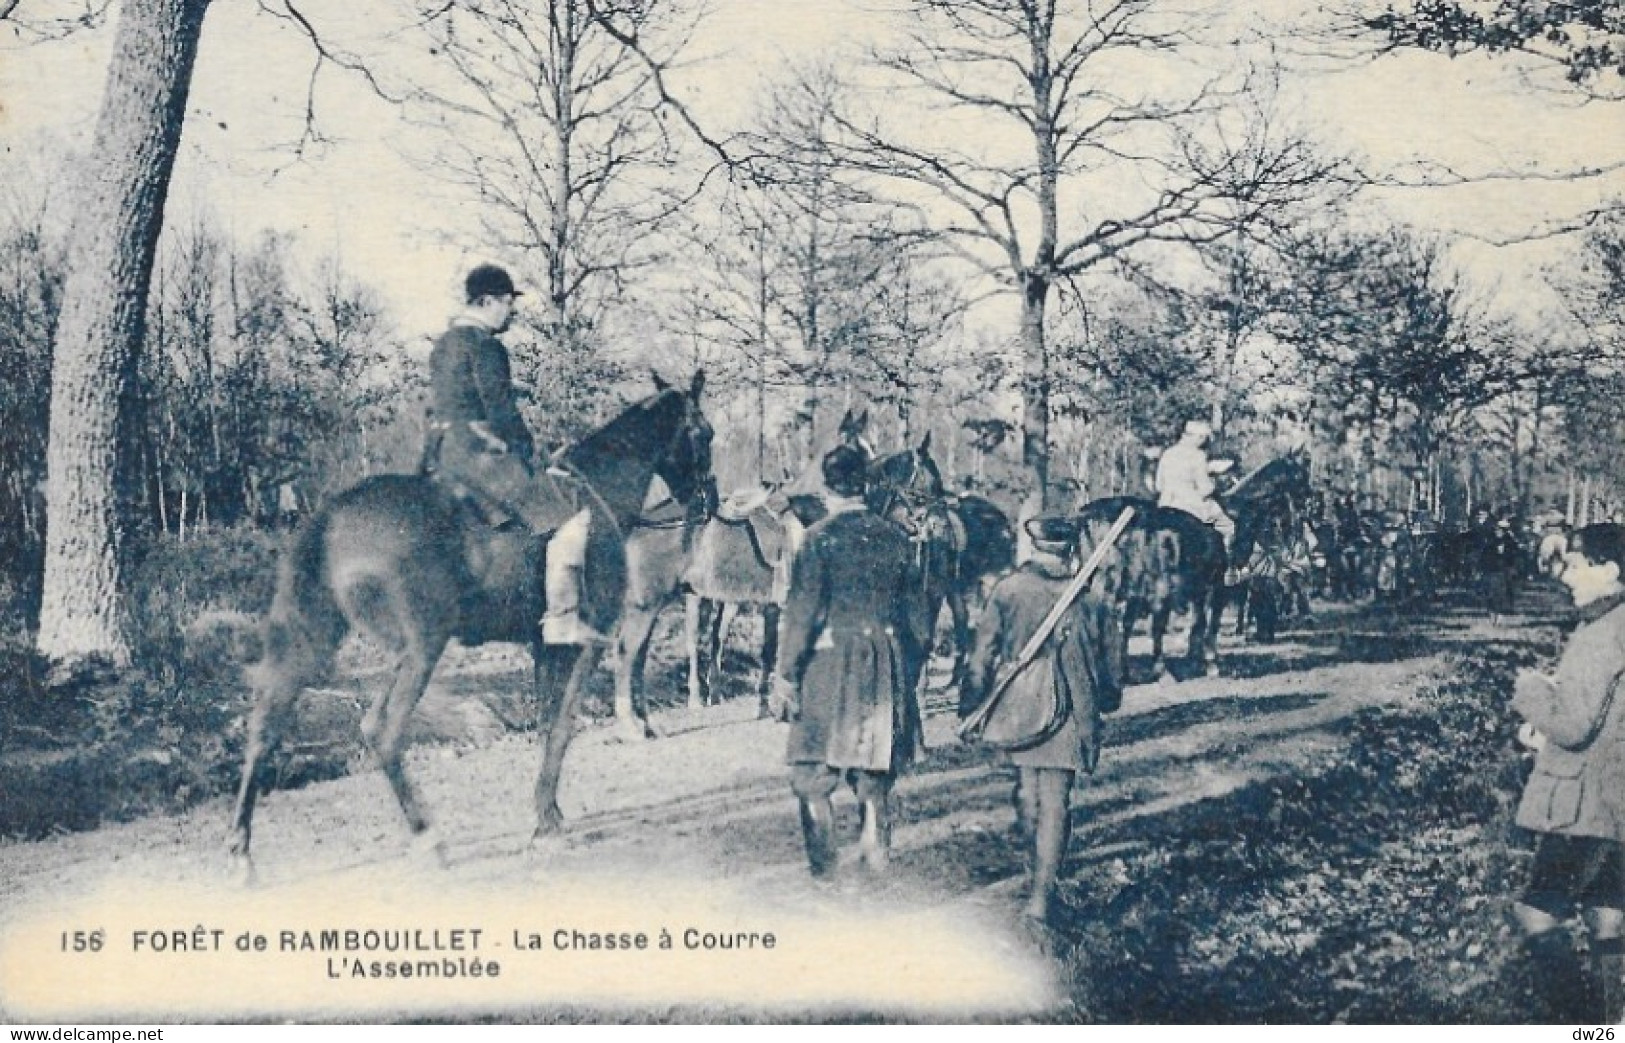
118,219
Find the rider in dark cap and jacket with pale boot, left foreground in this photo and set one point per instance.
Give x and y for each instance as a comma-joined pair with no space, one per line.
485,444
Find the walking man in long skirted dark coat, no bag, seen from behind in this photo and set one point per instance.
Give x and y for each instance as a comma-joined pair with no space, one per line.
854,639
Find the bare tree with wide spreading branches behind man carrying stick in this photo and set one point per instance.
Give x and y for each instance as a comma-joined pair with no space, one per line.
1054,74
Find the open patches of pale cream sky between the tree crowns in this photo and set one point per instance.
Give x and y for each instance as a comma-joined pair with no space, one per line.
399,230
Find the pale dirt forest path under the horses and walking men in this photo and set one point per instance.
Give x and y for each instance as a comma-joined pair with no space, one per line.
708,807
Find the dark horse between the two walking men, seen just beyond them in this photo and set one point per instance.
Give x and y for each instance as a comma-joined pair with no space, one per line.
958,540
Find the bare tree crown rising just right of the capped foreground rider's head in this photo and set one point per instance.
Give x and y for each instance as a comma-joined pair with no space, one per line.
558,128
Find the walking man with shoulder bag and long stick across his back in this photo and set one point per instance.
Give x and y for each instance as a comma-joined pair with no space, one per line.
1081,662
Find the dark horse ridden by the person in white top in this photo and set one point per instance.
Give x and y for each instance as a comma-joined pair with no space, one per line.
1176,563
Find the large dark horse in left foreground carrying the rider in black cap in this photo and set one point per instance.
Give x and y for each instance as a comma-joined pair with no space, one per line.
404,561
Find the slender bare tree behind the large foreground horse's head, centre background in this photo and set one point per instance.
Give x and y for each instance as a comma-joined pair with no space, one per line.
804,266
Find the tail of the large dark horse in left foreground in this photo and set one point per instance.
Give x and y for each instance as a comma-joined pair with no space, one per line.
305,626
